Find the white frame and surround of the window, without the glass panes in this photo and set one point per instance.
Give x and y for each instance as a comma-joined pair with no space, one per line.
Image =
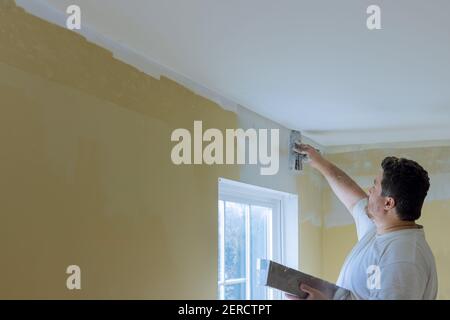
284,227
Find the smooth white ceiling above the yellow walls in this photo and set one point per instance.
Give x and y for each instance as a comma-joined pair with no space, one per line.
309,65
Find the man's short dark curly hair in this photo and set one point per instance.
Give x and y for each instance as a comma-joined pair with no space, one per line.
408,183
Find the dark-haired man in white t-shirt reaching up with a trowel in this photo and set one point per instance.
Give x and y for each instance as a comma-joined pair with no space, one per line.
392,259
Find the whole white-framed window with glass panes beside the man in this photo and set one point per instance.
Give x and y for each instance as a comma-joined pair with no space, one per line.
251,228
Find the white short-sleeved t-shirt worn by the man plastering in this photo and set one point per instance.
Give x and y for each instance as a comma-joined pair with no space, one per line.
397,265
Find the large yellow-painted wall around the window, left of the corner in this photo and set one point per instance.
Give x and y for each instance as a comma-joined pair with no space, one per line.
86,176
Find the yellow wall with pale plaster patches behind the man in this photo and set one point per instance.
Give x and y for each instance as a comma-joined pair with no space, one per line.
363,166
